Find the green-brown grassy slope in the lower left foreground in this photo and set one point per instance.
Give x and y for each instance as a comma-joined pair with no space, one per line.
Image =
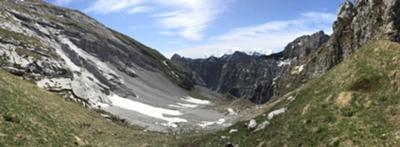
30,116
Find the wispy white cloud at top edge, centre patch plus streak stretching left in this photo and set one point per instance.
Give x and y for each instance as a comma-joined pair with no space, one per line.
184,18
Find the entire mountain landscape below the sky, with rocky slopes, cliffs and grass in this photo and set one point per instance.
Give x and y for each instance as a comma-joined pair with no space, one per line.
67,79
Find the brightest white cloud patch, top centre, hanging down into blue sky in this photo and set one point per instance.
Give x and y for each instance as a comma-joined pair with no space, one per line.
191,18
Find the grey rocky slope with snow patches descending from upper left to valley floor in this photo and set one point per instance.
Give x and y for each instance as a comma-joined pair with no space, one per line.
65,51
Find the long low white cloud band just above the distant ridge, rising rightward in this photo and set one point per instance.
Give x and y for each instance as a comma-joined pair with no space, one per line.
272,35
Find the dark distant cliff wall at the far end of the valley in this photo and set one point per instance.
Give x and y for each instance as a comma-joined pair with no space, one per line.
250,76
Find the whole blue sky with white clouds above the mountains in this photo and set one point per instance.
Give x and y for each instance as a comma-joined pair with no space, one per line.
200,28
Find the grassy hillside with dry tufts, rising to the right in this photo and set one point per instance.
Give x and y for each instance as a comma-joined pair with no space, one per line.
322,114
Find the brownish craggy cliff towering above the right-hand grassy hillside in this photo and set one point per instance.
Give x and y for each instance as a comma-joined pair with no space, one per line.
356,24
